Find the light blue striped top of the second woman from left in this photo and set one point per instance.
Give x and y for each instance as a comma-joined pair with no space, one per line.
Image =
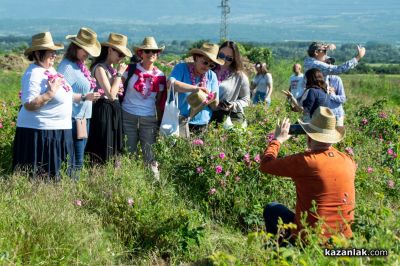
80,84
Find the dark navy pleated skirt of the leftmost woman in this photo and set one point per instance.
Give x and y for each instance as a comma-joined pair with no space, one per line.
41,152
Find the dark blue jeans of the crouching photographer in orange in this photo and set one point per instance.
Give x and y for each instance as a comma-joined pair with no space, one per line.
272,212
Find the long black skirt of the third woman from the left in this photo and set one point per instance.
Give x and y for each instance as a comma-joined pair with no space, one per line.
105,137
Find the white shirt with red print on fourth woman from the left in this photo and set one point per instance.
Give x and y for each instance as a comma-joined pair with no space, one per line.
134,102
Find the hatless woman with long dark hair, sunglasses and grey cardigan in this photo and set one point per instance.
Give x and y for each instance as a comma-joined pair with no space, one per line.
234,89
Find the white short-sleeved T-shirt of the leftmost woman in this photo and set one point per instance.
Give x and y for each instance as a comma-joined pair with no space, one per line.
55,114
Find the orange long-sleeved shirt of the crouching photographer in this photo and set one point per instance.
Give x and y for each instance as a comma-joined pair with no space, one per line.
326,177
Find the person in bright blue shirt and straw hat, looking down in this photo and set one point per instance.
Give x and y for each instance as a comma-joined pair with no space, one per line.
193,77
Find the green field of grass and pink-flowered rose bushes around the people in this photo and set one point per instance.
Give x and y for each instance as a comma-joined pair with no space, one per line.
207,207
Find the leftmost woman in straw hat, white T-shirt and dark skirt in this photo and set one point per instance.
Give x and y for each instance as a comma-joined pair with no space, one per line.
43,138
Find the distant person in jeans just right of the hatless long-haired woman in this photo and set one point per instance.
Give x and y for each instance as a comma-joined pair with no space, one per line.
262,84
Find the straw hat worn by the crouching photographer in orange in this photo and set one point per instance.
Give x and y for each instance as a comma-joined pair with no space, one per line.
322,126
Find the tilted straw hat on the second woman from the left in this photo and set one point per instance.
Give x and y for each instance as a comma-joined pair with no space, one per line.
87,40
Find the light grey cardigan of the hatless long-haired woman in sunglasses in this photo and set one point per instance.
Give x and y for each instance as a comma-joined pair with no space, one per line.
236,90
